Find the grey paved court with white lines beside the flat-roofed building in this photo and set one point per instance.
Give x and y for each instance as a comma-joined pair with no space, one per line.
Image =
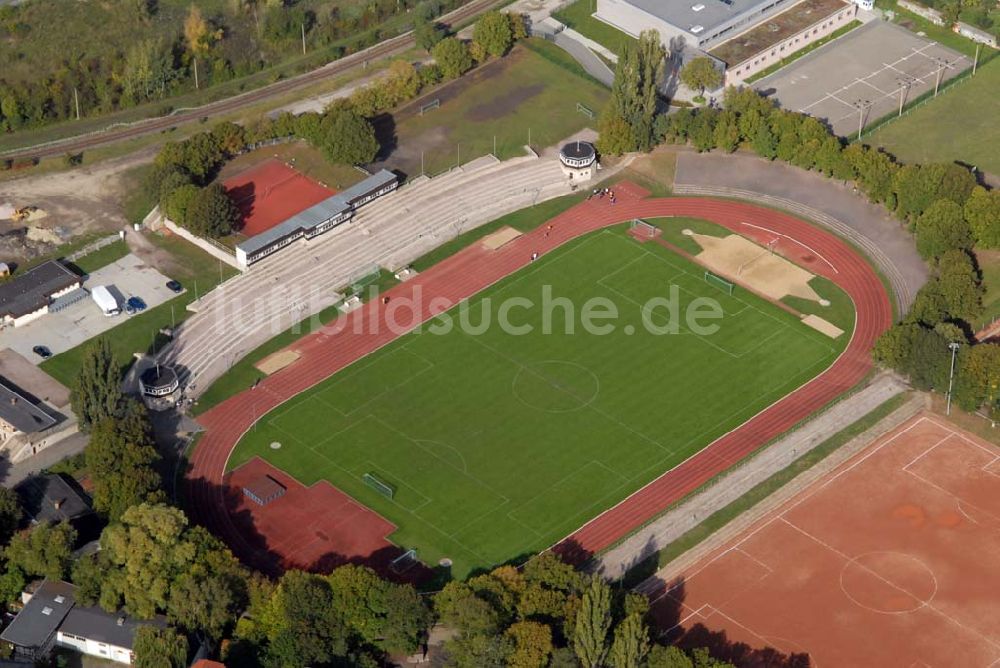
862,76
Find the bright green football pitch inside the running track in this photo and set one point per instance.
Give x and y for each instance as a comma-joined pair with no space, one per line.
498,444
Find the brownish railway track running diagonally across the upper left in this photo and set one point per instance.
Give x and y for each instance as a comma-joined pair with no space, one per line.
228,105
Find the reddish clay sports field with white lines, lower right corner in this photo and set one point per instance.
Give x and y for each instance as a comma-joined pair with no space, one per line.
890,560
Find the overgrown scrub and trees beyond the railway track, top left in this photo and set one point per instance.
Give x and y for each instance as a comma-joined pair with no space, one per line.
169,51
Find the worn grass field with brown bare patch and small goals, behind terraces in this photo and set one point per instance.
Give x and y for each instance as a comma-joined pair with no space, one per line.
531,92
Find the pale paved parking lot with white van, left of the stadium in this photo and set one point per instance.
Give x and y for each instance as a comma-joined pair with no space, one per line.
68,328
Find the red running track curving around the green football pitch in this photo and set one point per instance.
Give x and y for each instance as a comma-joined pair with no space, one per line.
460,276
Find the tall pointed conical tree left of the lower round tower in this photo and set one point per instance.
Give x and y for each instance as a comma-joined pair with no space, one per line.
96,393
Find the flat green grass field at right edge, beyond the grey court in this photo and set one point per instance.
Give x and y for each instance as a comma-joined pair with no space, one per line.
961,124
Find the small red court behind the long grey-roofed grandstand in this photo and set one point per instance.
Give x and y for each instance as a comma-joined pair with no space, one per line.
270,193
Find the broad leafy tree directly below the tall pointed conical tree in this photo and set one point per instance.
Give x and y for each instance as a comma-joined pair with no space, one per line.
121,459
